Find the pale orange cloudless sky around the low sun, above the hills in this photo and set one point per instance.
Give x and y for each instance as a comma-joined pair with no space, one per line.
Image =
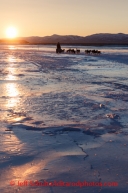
63,17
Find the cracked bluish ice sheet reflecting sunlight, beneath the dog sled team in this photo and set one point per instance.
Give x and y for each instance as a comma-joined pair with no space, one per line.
54,117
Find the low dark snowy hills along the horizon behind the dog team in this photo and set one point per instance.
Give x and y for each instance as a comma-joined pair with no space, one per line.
95,38
